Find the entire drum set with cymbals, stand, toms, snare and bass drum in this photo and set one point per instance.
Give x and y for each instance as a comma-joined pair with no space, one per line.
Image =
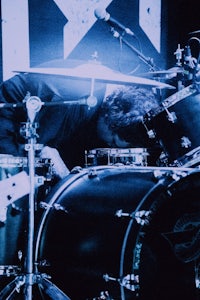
118,228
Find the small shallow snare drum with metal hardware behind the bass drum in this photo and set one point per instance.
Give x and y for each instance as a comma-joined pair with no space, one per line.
112,156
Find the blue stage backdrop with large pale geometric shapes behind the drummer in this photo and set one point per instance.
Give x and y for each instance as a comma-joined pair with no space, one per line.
35,31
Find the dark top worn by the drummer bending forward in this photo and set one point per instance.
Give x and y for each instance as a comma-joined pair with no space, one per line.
71,128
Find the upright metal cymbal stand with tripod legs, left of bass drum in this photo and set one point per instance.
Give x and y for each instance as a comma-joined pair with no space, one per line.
33,105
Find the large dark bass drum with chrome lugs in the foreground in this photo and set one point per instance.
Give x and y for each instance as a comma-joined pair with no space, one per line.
122,233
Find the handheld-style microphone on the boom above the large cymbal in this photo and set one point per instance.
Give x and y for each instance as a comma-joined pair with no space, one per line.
102,14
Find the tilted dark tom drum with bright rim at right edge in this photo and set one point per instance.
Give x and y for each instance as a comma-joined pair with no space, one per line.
175,124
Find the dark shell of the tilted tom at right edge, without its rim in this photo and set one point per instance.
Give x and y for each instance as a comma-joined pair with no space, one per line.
180,137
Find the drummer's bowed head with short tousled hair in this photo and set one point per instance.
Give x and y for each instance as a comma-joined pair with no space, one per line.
123,111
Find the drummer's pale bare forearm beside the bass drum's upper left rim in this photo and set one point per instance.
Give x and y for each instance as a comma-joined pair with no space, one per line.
59,168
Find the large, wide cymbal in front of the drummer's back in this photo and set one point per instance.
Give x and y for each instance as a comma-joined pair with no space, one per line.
98,72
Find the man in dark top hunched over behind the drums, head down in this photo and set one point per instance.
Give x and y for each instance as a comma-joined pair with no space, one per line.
67,130
